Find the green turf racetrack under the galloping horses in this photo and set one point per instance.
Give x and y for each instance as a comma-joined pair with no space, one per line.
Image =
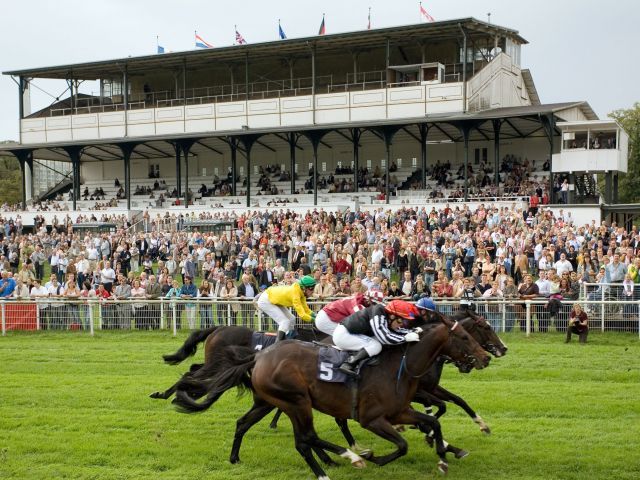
77,407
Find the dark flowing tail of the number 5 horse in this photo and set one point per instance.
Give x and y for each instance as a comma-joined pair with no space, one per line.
231,371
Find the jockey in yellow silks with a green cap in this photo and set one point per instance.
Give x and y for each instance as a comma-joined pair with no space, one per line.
275,300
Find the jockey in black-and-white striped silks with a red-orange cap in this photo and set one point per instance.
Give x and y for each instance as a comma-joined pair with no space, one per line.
367,330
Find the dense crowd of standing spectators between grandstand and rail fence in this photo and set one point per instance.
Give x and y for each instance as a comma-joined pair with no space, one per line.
499,253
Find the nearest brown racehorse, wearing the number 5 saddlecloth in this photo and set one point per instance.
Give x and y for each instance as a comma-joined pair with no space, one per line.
285,376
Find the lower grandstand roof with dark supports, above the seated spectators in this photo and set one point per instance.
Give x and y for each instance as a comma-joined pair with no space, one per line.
520,122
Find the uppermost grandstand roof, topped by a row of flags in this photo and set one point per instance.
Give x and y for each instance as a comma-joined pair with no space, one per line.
338,42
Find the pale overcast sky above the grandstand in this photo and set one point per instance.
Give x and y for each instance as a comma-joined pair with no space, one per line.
578,49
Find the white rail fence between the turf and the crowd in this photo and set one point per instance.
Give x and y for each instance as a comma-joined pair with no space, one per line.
174,315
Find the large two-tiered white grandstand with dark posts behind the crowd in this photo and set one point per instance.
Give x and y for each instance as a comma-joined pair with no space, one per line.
348,119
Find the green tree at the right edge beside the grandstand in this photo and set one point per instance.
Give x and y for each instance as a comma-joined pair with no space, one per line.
629,184
